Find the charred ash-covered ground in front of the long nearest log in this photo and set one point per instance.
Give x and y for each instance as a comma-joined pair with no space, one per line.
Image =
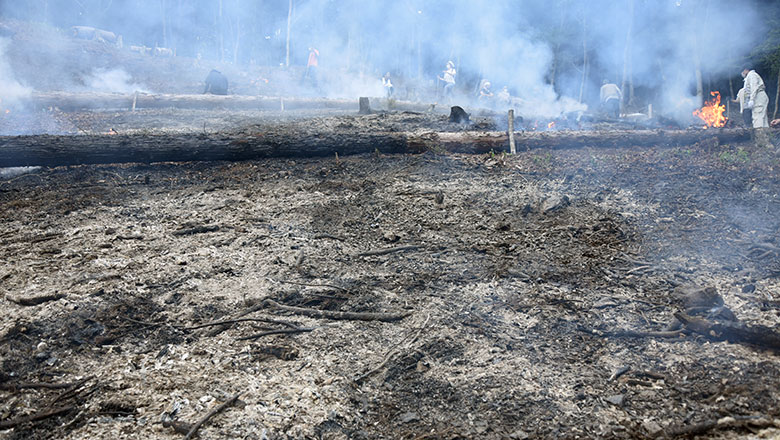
433,295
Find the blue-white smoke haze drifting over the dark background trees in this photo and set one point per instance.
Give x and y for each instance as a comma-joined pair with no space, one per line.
664,51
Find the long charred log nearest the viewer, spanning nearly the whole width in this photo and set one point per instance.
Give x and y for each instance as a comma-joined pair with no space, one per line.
292,141
